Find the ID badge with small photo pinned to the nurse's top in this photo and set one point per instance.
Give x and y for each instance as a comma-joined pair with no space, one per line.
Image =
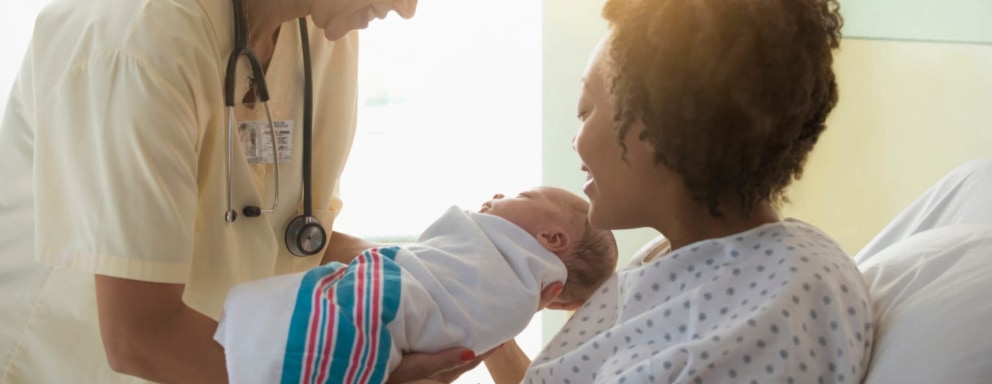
257,141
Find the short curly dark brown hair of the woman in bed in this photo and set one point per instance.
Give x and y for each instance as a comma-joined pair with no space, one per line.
733,94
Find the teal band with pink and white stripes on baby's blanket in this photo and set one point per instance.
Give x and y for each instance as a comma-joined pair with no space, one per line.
325,344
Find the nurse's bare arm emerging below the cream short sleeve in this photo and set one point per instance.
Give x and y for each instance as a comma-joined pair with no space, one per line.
149,332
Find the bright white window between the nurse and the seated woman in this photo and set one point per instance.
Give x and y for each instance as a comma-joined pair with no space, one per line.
449,114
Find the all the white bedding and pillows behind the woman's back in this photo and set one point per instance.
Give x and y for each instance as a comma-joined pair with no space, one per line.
929,274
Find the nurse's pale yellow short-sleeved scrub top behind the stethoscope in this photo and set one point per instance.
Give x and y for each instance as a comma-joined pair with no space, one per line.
112,162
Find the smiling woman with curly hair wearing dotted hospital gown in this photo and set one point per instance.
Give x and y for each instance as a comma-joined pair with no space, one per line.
695,116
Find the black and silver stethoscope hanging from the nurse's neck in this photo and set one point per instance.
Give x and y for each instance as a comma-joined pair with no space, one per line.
304,234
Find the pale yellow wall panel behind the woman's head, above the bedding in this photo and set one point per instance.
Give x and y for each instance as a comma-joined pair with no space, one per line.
908,113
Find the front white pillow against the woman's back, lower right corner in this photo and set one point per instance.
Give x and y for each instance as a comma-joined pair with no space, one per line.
932,296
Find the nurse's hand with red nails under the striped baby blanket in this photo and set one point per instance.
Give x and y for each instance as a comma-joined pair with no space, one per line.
441,367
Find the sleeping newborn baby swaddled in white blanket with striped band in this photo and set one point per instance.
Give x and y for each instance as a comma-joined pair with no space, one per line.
472,279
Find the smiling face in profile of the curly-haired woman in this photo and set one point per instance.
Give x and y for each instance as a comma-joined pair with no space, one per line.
620,191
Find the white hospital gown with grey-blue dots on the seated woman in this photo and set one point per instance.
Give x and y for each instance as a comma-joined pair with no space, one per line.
778,303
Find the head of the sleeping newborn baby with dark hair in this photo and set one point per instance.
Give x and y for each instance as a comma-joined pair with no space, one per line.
558,219
